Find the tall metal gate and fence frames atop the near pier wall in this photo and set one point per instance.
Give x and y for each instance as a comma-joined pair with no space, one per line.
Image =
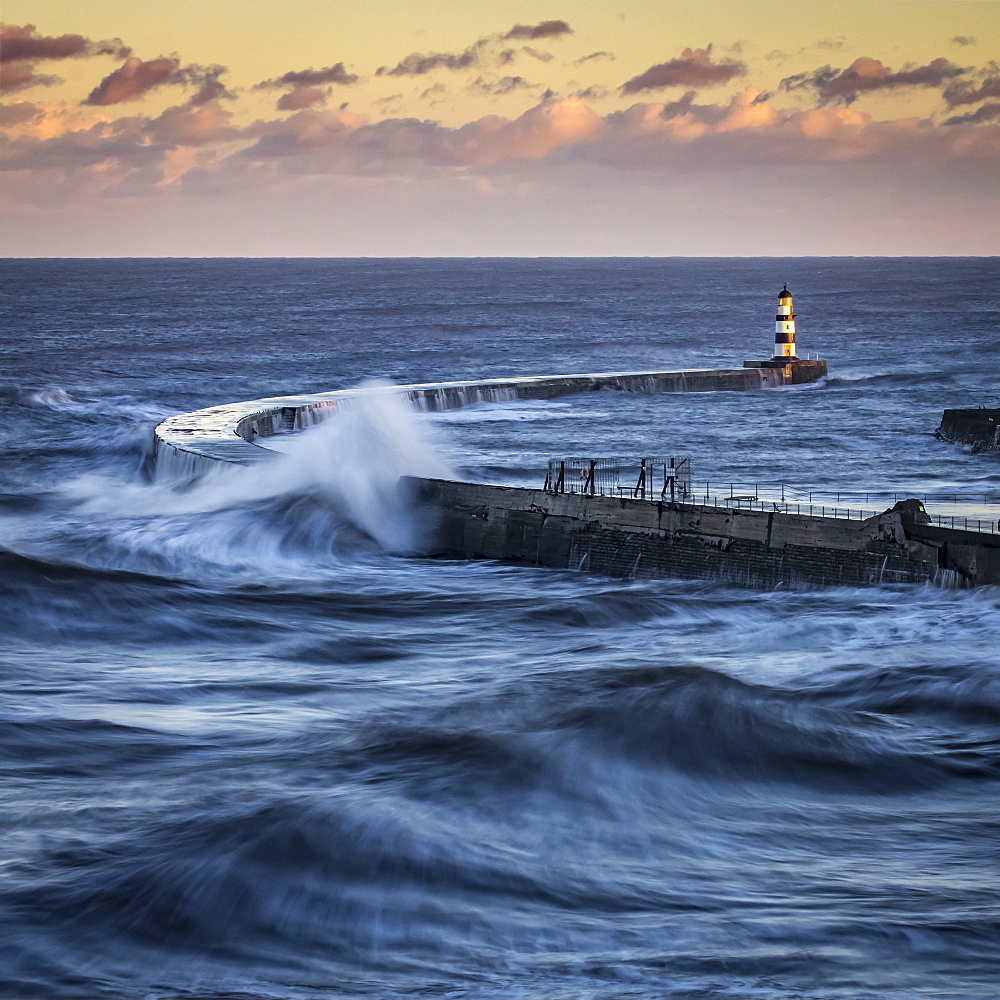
654,478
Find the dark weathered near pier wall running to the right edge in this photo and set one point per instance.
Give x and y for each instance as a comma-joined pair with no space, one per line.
642,538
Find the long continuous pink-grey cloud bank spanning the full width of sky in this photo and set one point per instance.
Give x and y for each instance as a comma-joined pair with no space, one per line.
661,142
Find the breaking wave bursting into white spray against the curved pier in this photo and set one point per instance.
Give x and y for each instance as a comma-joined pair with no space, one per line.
284,518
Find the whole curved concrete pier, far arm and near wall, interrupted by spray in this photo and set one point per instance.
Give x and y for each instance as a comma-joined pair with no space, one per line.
602,534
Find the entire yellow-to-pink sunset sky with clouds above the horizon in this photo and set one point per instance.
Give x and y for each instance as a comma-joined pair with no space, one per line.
274,128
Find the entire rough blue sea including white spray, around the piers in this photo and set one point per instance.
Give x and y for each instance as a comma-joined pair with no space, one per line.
247,752
